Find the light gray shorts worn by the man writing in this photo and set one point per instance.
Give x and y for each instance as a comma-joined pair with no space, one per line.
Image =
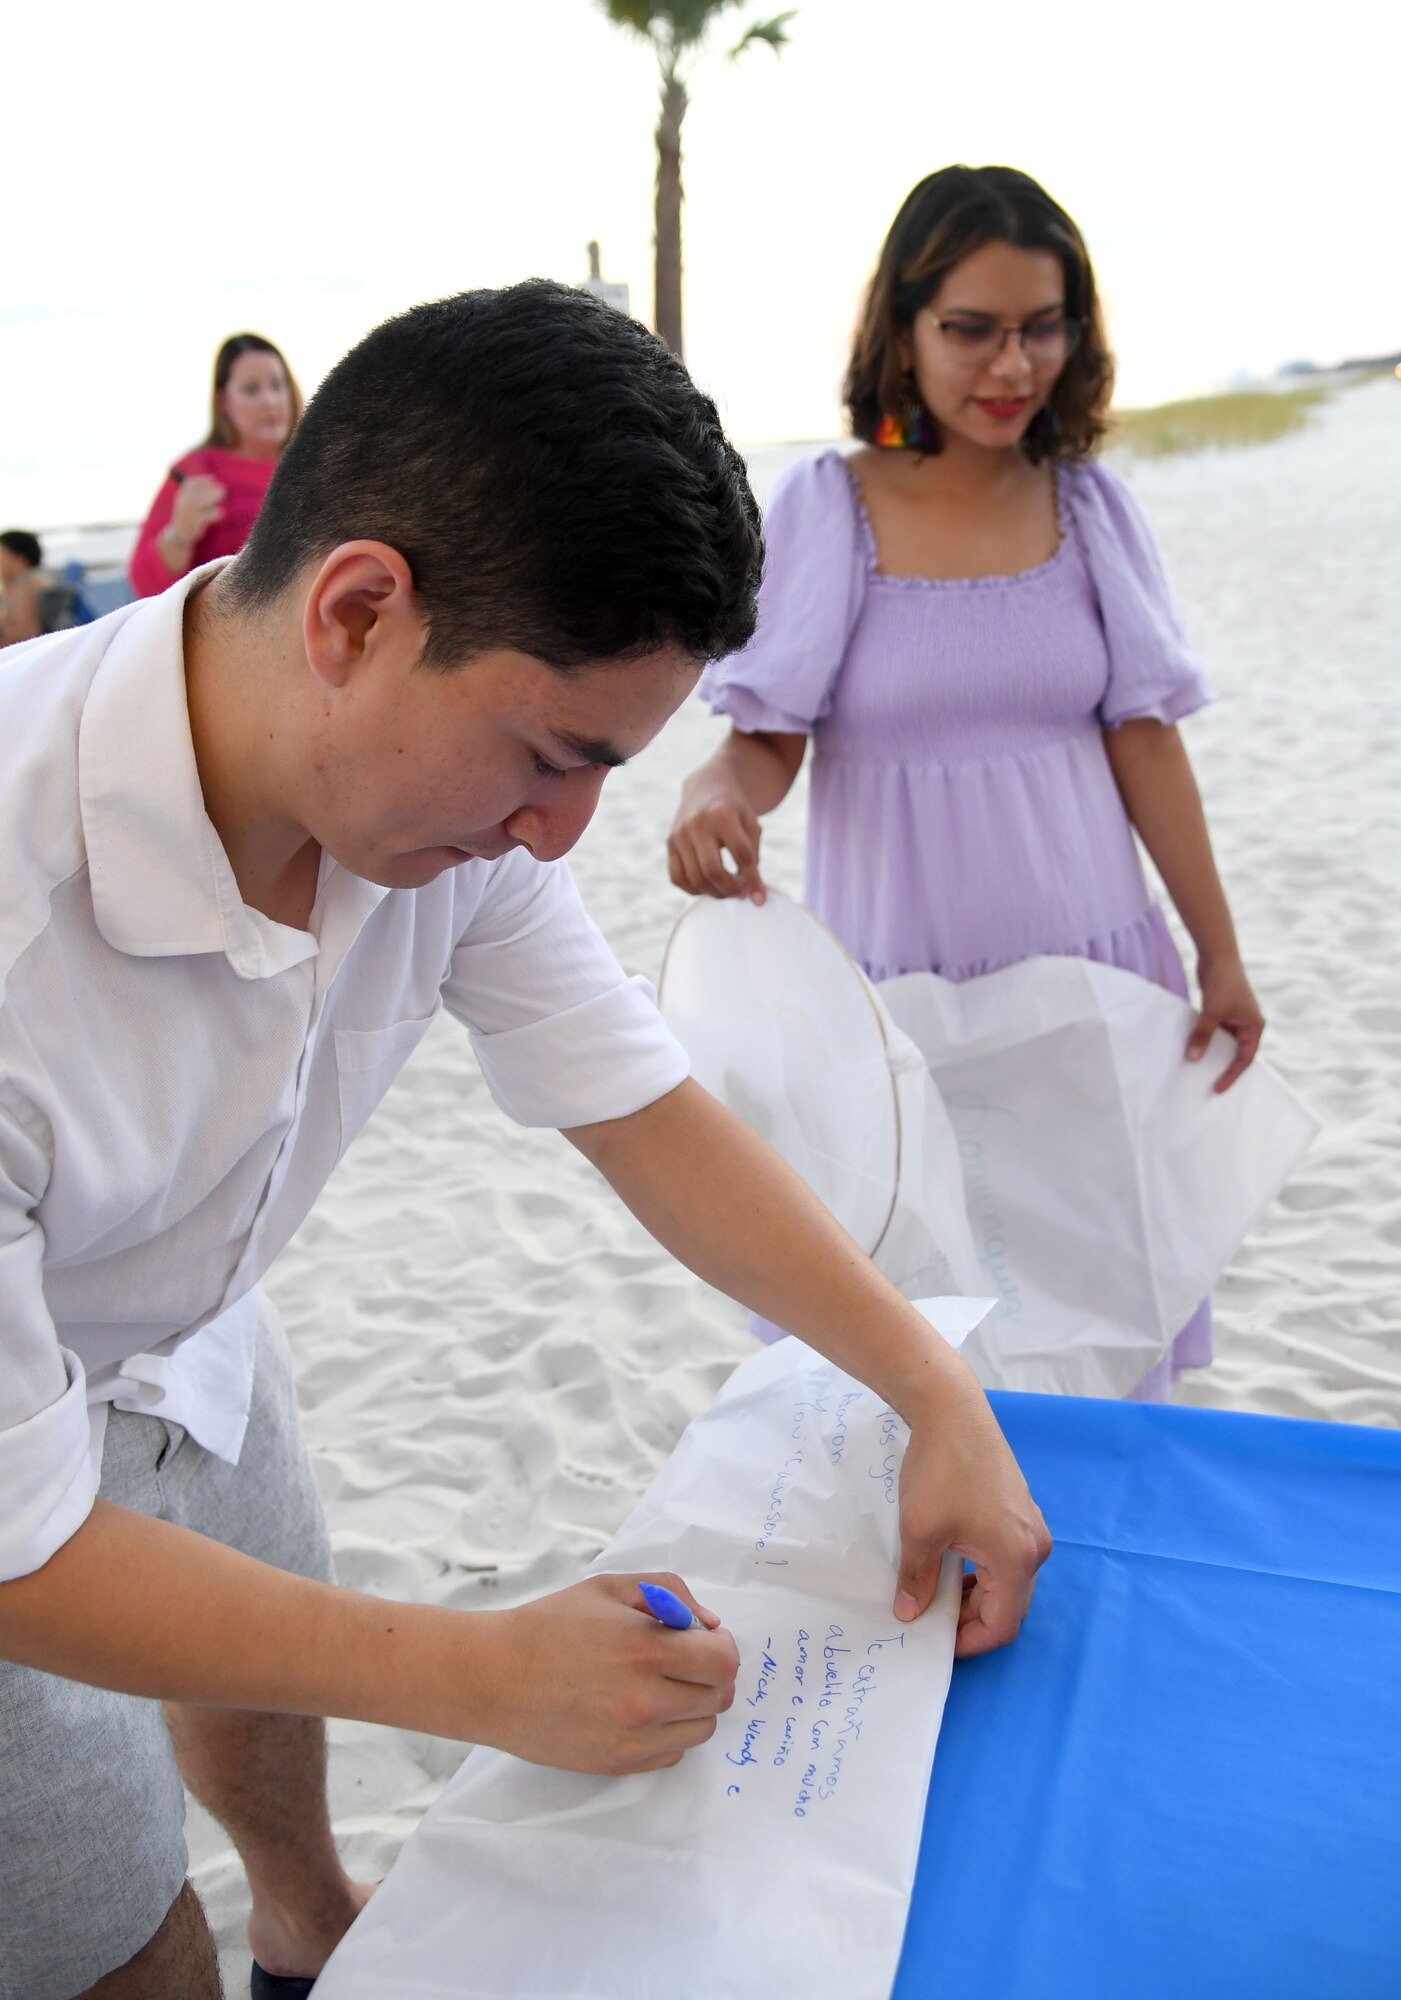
91,1801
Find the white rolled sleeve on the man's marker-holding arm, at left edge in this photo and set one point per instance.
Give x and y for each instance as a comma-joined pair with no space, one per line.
47,1473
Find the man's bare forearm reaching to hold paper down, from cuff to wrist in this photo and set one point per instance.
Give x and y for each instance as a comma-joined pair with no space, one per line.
730,1209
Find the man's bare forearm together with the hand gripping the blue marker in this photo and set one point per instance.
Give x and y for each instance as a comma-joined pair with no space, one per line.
583,1679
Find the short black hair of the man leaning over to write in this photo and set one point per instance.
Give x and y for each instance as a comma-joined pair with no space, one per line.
549,473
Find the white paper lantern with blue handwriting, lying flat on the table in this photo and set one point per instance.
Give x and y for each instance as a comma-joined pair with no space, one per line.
776,1859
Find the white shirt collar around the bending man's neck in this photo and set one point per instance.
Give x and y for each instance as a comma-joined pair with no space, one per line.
159,875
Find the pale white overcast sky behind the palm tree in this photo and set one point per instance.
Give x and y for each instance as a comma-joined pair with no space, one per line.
303,169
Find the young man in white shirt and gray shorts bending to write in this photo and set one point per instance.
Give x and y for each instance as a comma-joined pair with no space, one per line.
255,833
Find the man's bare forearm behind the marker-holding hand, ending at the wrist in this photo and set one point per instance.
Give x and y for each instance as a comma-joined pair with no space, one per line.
151,1609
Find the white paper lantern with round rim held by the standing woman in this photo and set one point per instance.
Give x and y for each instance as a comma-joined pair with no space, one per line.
1034,1135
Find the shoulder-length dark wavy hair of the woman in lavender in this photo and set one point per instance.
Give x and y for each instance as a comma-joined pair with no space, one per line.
944,221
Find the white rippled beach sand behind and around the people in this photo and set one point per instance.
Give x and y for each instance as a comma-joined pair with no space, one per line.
493,1357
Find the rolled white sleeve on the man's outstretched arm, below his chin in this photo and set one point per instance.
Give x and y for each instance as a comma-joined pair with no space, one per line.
563,1035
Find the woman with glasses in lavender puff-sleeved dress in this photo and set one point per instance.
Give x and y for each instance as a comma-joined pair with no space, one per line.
972,623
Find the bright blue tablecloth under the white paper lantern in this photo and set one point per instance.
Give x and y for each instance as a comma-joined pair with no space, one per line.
1186,1779
